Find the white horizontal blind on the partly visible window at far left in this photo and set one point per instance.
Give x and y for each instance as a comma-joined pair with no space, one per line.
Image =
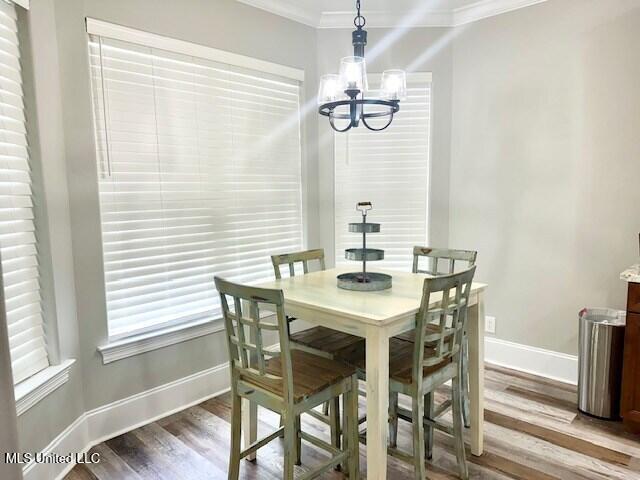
18,245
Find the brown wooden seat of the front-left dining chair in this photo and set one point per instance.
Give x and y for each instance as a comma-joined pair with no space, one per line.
311,374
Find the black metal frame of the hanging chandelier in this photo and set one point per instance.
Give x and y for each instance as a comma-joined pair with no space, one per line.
357,105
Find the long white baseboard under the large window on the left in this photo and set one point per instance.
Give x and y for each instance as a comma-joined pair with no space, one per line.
121,416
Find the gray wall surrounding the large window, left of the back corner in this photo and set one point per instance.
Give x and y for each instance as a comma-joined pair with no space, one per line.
63,145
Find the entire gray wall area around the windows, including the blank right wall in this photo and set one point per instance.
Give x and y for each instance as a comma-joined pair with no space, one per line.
534,162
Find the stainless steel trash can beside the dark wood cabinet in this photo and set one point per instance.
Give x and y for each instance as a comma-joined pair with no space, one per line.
600,350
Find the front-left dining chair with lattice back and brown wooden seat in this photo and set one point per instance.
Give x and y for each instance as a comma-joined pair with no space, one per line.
289,382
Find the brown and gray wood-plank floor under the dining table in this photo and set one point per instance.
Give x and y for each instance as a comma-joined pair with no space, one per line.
532,432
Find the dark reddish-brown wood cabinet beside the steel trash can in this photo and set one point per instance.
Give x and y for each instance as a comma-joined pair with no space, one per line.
630,403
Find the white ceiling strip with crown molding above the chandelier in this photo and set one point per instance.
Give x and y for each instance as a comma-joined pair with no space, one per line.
389,13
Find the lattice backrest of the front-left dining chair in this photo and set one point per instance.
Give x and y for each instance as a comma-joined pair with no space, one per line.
248,357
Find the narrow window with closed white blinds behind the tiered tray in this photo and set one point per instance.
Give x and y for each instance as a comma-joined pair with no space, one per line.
390,169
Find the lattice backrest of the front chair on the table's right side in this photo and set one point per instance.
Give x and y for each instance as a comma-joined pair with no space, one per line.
450,313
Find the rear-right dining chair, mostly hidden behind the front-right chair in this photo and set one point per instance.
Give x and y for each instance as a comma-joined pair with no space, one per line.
443,261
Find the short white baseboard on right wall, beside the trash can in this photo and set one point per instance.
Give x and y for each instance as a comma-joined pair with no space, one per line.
545,363
